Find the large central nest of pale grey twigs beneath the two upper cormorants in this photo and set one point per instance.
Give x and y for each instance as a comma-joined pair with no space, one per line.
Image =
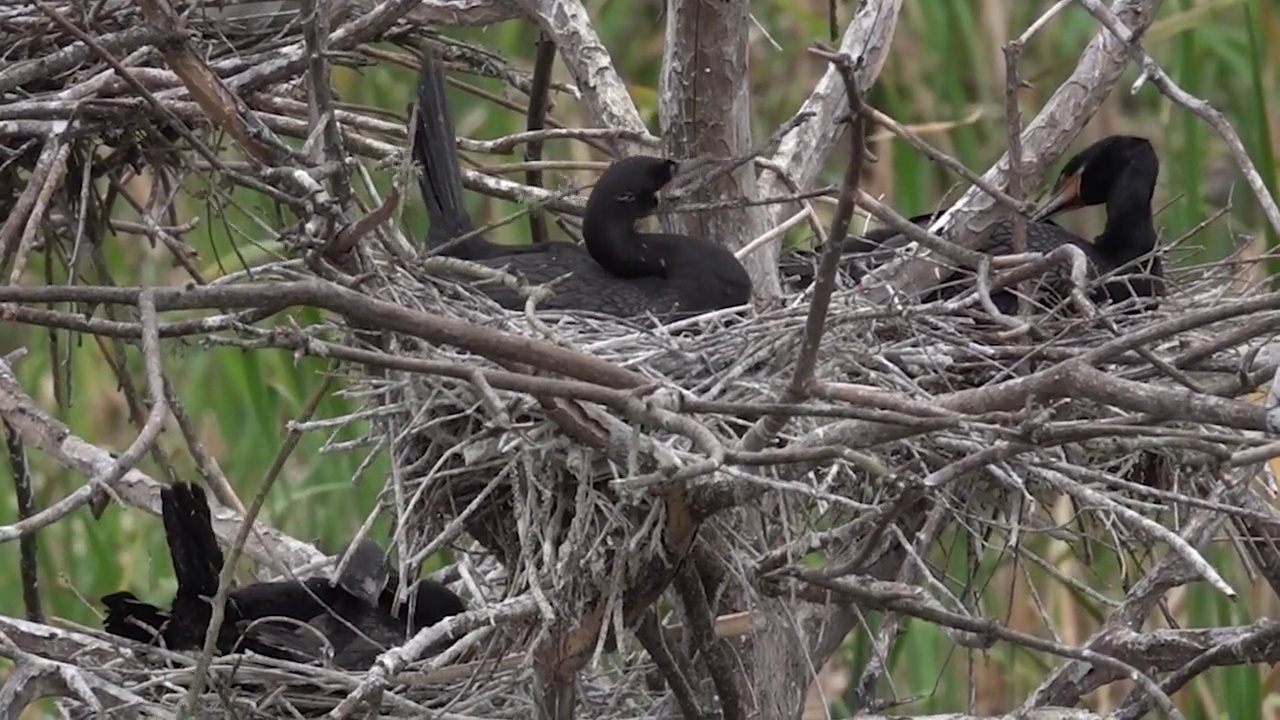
509,476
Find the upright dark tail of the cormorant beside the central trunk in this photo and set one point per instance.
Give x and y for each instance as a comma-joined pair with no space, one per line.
435,151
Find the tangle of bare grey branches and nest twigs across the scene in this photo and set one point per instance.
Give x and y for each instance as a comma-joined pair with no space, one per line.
715,504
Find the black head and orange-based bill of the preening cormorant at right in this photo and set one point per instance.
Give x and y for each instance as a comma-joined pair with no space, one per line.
1092,175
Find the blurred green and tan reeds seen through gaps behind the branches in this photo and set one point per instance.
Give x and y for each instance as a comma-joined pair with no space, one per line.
945,79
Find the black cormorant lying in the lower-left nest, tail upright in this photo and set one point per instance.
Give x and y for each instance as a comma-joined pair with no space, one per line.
362,598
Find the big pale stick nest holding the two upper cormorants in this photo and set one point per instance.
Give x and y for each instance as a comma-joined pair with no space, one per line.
458,441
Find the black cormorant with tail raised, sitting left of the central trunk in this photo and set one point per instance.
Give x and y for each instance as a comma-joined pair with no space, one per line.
618,270
